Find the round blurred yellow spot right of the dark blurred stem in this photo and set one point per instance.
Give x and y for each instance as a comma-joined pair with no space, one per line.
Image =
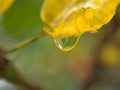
110,55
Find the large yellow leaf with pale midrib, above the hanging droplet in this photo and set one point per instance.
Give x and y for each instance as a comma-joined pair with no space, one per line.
72,18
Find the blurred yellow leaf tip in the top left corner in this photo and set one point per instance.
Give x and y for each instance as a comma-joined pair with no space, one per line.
4,5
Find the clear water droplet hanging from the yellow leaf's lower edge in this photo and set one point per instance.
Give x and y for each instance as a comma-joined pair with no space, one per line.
67,44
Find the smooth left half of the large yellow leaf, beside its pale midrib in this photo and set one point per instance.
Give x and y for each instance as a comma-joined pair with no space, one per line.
53,10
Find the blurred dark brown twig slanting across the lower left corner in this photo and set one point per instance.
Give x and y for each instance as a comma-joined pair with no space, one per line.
10,73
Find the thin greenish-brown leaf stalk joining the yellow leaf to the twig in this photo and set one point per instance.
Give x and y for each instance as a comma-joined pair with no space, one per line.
27,41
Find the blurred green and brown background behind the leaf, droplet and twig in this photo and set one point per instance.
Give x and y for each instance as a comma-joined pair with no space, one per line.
94,64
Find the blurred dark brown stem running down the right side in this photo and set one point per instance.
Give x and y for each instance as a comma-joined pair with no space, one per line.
111,30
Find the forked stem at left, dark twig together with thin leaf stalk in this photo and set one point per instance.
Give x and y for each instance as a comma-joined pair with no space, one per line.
9,72
